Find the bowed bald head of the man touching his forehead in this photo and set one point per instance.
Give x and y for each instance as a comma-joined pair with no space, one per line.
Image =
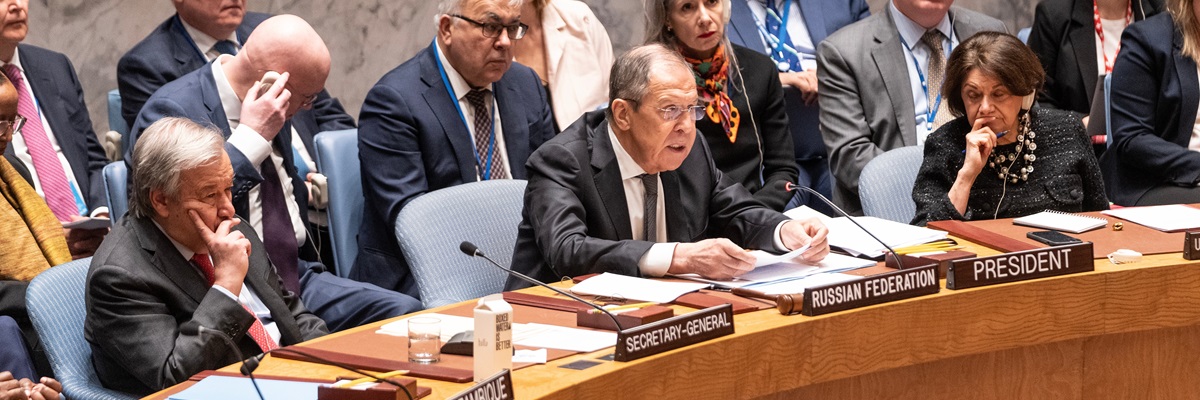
283,44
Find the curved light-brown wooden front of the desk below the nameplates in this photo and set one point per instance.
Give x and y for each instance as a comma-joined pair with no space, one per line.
1121,332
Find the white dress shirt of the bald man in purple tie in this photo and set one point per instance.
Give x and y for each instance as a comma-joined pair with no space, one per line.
256,150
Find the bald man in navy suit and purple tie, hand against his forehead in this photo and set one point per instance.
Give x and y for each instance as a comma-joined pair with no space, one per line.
268,190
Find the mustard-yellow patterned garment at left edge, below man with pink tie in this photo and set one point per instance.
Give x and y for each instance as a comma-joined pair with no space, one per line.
32,235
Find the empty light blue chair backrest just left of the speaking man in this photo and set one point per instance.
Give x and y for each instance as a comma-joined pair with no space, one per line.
431,228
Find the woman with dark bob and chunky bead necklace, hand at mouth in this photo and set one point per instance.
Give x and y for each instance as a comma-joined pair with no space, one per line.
1000,159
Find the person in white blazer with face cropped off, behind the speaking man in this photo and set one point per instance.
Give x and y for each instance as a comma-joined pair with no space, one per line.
572,53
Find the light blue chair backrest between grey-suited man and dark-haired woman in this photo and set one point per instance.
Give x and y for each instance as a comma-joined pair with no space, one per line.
886,184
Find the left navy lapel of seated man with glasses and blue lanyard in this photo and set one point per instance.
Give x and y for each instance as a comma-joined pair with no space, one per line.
442,104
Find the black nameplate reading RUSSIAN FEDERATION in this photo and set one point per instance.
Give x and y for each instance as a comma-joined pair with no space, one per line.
872,290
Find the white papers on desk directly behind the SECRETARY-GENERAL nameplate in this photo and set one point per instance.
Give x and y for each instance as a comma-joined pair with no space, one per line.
634,289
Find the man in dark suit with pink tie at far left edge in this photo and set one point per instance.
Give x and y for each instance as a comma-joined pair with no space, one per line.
57,144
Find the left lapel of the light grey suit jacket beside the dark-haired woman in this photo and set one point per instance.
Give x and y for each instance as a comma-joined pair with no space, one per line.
892,64
